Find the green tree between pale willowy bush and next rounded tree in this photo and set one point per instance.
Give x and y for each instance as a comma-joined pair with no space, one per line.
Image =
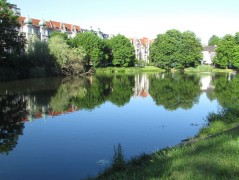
95,48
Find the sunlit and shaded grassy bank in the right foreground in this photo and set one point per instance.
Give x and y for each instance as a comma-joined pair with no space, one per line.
213,154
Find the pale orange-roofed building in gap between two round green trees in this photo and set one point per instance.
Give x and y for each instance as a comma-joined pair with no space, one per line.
141,47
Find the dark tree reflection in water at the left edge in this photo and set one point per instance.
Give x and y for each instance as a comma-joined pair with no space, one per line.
12,113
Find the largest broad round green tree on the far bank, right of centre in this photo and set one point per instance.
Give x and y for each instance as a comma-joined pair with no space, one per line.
176,50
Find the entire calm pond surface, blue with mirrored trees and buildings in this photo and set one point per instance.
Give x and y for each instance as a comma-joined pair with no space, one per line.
59,129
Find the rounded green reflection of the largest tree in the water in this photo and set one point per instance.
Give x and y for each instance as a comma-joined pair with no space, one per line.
175,91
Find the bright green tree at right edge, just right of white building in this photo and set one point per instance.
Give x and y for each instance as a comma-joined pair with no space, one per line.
225,50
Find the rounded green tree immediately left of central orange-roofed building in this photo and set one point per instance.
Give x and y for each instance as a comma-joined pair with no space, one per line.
123,51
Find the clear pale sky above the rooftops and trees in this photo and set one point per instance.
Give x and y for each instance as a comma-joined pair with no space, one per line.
140,18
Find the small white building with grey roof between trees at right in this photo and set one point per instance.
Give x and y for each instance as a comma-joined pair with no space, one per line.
208,55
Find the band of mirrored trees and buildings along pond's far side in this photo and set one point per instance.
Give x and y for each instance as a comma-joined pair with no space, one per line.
22,101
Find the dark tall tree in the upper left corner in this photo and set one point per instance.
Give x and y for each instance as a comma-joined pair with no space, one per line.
10,40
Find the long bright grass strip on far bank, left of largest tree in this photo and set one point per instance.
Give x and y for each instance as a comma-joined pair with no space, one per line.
128,70
